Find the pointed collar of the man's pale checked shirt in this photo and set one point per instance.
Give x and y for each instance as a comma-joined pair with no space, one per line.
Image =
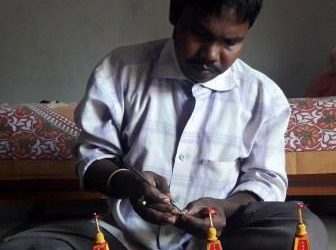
168,67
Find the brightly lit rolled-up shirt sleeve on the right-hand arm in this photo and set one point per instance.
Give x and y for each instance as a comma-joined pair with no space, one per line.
263,172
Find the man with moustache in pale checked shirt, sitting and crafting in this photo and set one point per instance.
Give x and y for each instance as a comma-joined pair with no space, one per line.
203,128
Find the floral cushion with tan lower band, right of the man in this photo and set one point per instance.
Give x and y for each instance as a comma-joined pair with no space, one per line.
311,136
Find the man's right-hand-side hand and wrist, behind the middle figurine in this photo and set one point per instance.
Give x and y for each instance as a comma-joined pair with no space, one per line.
196,220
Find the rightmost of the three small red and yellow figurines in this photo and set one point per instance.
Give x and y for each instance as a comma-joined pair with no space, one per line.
301,241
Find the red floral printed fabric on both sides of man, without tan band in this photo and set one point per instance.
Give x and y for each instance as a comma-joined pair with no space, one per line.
38,132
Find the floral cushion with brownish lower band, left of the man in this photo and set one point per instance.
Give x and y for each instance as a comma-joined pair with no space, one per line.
36,141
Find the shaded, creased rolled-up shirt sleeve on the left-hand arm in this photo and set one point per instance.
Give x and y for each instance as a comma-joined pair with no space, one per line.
99,116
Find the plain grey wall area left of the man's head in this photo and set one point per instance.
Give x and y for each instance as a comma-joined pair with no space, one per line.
49,47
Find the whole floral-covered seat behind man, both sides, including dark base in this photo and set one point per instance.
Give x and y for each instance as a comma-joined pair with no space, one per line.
36,141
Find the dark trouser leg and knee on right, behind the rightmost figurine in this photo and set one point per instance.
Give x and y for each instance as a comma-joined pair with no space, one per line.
271,226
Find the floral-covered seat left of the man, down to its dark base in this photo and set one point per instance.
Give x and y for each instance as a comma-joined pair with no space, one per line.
36,157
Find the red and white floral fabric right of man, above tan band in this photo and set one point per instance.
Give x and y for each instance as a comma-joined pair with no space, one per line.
312,125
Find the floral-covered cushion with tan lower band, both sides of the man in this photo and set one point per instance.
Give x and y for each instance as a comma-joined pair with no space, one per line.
36,140
